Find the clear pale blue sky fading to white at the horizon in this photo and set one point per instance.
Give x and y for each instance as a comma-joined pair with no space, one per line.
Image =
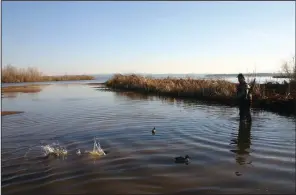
148,37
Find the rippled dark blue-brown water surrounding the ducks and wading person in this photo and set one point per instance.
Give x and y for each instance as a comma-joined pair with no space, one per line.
225,157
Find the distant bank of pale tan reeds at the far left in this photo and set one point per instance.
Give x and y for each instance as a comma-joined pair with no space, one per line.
11,74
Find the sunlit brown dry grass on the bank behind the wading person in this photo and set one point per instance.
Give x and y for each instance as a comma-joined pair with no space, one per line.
180,86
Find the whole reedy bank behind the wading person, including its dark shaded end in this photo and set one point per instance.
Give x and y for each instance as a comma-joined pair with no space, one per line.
219,91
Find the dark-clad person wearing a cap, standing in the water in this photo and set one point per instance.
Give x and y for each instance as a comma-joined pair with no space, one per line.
244,99
